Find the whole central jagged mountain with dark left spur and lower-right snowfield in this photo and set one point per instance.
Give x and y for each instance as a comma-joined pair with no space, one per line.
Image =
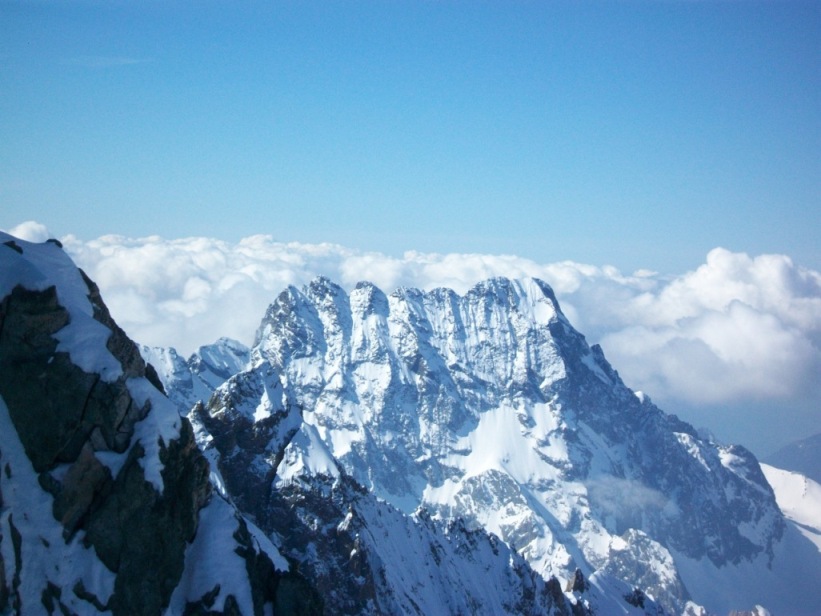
491,411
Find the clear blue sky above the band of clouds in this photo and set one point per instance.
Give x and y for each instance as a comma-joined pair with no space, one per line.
638,134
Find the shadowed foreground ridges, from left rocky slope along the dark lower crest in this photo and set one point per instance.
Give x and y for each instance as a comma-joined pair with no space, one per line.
106,506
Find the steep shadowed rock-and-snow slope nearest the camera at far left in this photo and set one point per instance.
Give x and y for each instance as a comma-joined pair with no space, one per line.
105,503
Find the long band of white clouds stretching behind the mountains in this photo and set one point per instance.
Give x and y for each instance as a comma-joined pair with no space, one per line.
737,332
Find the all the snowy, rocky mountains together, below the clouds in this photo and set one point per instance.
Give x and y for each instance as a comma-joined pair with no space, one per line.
418,452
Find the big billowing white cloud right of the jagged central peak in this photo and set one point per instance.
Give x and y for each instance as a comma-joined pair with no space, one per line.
737,327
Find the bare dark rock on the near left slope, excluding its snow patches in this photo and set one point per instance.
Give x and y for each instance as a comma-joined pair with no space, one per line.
63,415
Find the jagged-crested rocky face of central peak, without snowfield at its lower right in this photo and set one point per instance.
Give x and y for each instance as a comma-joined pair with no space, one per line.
441,400
